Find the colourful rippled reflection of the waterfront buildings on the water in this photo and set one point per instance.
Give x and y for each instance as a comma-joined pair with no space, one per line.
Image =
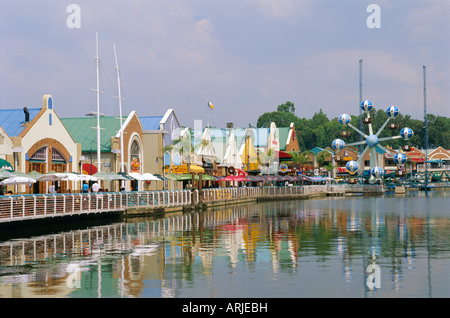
156,257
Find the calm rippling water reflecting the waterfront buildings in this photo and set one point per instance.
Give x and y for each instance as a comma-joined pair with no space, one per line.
390,246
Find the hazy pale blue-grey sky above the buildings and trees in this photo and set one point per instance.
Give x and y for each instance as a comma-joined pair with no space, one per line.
245,56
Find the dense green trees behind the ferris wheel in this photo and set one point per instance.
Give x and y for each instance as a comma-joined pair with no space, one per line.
319,131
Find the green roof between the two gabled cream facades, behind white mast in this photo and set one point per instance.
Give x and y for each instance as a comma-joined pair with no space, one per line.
82,130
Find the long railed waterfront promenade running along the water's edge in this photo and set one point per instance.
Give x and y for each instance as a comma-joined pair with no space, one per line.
15,208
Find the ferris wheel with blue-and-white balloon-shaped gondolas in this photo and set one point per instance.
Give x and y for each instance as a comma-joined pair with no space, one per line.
372,141
